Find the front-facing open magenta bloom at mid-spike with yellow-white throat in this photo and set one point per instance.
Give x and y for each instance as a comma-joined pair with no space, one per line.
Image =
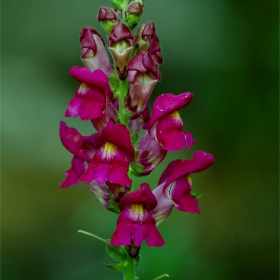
113,156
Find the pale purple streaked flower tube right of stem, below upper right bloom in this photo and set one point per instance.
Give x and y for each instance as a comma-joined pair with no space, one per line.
150,153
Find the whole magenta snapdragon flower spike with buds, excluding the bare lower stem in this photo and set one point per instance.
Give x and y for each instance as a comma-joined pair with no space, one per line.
113,94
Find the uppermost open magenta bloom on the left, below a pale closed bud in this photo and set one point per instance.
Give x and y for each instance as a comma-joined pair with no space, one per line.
92,96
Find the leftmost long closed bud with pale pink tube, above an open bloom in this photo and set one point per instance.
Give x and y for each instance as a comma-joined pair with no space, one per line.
93,53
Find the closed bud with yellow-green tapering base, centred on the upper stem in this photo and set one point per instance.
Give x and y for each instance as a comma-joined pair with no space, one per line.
120,45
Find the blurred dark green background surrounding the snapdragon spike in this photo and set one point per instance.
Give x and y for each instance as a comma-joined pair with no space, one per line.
226,53
